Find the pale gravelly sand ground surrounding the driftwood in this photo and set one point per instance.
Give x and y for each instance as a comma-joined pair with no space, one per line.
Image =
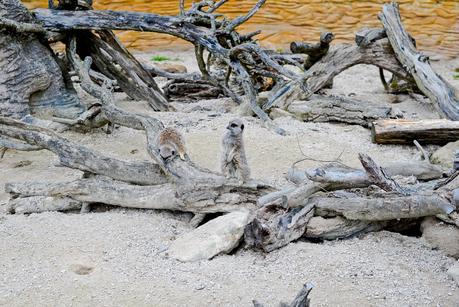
126,250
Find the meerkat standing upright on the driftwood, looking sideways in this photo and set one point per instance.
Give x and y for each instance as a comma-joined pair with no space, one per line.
233,159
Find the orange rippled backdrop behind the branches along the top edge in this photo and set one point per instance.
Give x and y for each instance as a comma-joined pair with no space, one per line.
434,24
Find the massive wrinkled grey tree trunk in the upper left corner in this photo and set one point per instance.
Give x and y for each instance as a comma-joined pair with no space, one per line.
31,82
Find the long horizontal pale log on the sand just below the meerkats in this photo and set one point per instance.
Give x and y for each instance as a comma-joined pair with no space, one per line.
218,197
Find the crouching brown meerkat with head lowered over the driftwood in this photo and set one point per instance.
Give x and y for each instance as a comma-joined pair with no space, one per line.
171,143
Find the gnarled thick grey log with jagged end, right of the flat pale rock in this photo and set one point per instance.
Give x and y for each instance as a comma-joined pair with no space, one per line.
285,214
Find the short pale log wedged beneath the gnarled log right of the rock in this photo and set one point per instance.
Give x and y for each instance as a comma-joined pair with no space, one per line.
339,228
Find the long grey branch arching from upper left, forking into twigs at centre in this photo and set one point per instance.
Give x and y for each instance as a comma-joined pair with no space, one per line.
201,37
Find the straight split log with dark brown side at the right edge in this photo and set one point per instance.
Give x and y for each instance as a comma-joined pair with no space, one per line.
402,131
